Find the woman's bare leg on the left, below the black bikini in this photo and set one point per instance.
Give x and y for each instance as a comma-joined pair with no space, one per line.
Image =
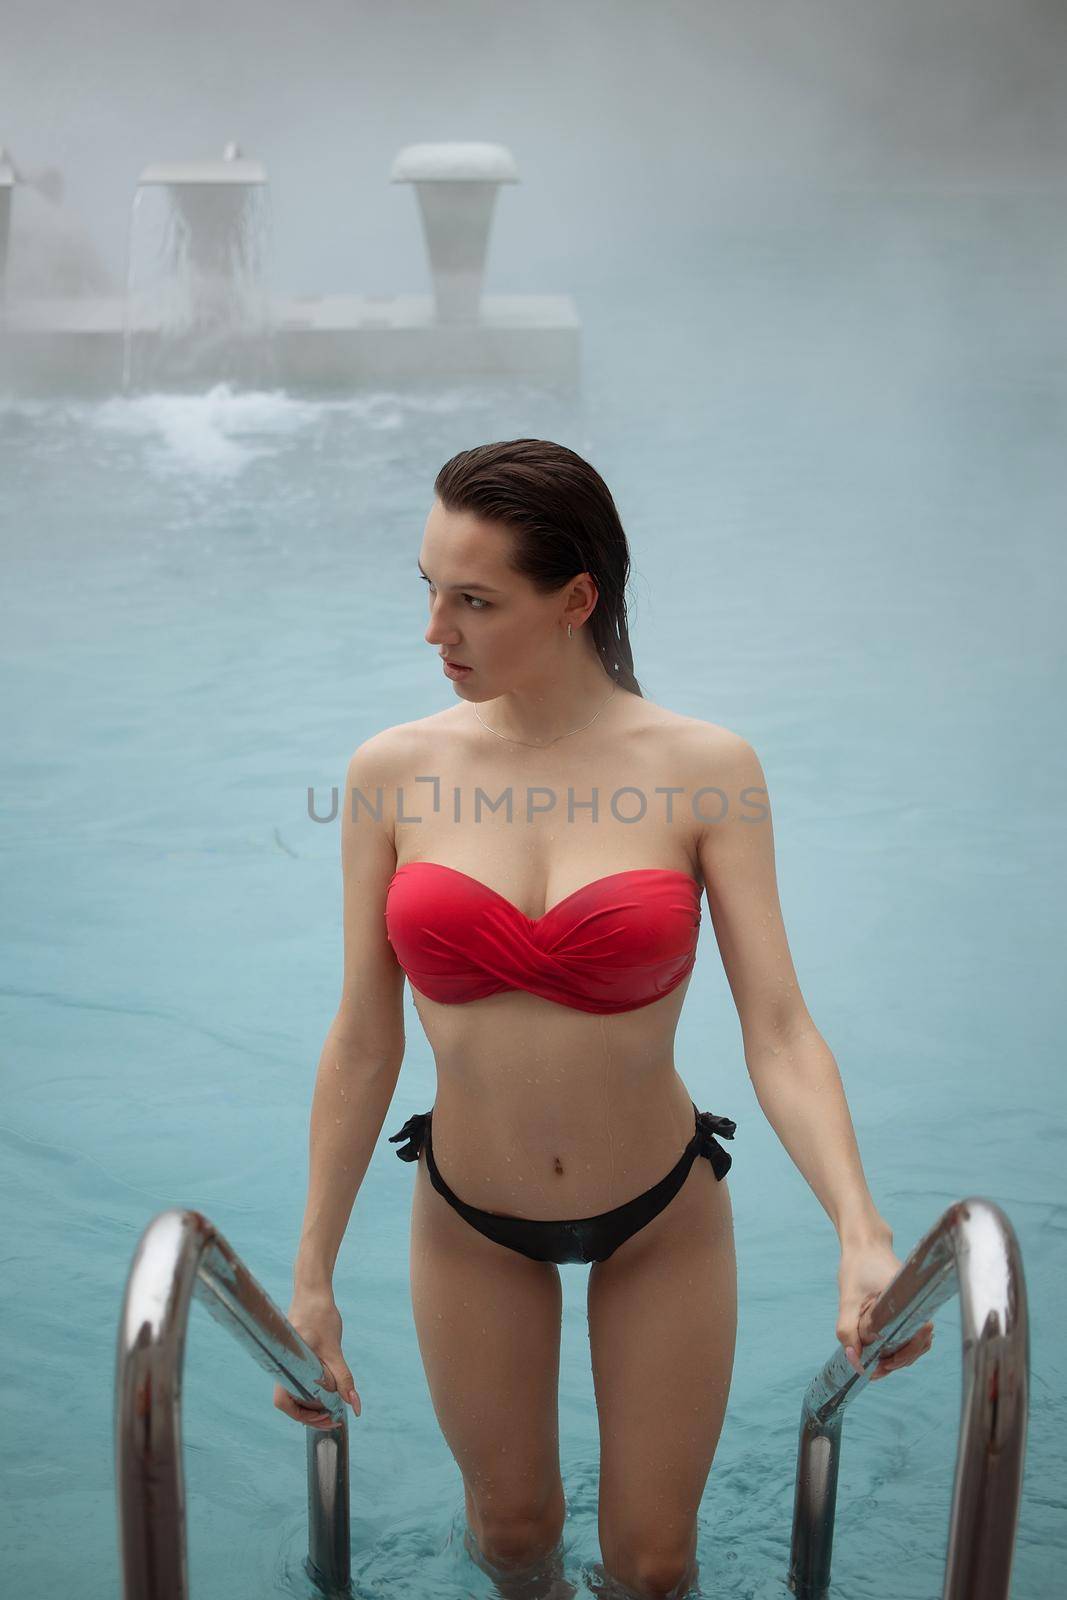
489,1329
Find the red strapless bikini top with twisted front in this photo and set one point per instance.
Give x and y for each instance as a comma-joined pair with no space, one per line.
615,945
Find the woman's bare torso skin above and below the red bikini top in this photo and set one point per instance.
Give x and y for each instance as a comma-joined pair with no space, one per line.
543,1110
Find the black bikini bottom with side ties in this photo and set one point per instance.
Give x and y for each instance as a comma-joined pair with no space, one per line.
586,1238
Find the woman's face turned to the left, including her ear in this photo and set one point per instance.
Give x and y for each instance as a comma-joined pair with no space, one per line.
487,617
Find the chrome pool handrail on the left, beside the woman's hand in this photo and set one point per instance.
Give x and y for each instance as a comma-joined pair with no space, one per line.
182,1255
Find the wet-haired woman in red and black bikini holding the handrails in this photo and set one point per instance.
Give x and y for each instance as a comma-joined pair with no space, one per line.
533,860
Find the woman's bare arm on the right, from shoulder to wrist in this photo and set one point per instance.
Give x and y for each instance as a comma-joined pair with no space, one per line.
793,1068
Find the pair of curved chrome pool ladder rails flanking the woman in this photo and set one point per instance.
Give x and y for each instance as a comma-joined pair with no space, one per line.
972,1250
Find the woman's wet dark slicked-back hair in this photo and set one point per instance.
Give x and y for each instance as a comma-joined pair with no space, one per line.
564,522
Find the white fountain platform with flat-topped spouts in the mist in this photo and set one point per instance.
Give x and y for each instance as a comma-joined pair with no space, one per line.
327,342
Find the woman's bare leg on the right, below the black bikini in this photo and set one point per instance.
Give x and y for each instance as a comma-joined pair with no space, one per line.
663,1326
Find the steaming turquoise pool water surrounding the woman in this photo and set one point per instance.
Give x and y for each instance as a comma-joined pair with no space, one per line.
837,444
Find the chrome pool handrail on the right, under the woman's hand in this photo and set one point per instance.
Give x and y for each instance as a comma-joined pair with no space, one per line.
972,1250
